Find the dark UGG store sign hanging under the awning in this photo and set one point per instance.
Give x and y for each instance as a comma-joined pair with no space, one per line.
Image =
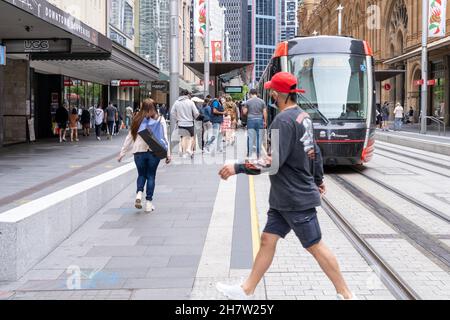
38,45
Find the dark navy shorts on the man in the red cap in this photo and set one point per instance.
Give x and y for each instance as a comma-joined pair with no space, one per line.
304,223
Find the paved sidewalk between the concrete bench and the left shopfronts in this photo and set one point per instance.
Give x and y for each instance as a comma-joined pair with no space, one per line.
30,171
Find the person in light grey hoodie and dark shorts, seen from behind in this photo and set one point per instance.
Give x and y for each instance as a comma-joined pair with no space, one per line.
183,114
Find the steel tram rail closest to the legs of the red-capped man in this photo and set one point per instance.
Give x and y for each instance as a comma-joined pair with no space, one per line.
395,284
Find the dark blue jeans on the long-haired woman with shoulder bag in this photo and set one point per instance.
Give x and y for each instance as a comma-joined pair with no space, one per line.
146,164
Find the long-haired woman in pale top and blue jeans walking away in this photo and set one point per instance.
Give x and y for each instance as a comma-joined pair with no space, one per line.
146,162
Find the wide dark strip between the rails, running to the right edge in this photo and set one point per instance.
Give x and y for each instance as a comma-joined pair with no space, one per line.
429,245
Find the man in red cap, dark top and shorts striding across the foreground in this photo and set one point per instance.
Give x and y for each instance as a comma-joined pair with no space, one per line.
296,176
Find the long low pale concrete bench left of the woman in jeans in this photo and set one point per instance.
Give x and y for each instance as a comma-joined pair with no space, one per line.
31,231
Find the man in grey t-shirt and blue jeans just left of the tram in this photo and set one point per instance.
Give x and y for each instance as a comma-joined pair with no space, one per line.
255,110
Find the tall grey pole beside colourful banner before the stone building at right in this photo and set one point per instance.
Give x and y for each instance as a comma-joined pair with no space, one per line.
424,102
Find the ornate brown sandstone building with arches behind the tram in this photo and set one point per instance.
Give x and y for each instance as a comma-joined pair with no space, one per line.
393,28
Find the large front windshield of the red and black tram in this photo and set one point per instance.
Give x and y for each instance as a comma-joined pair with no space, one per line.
336,85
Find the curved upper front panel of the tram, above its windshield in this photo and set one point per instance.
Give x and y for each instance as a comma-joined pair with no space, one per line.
327,44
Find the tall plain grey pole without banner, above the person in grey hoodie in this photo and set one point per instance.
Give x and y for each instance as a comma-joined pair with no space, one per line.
174,54
